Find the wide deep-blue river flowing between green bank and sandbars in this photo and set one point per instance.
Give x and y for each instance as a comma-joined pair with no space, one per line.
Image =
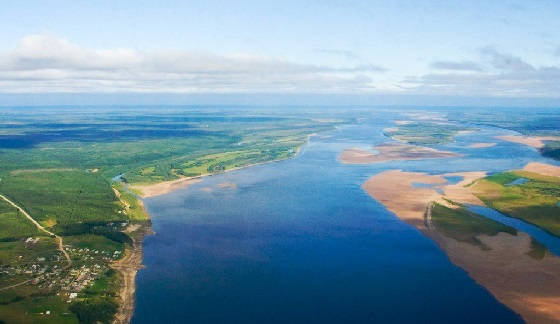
299,241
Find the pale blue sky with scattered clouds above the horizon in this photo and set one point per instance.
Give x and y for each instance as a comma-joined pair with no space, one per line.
508,50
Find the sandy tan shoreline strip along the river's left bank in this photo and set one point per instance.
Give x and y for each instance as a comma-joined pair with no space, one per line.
131,262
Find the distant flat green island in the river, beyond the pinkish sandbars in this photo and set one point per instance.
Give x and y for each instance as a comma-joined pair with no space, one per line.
425,133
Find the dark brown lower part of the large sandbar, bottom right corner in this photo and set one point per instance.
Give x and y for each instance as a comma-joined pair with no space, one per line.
529,286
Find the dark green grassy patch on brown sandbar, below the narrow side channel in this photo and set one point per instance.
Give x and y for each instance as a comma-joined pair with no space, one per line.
464,226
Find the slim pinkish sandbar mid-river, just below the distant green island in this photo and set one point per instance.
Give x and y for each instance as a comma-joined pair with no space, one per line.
392,152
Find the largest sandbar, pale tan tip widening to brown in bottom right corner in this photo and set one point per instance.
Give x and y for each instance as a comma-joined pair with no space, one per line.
529,286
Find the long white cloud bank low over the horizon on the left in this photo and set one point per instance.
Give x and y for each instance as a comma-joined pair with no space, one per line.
44,63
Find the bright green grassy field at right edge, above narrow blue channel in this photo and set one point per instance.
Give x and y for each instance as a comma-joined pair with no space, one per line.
535,201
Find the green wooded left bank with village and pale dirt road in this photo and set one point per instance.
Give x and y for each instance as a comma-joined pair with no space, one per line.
71,172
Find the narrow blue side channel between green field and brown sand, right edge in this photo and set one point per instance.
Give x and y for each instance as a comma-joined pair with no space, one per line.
550,241
